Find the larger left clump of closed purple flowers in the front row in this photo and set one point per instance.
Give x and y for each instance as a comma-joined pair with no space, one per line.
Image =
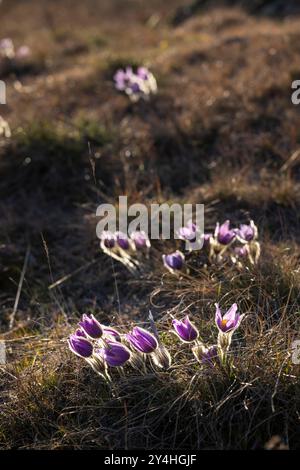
103,347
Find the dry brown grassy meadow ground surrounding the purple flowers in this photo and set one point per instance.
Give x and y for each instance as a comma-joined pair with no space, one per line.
222,131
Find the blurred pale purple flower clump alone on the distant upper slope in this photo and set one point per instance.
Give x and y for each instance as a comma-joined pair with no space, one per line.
139,84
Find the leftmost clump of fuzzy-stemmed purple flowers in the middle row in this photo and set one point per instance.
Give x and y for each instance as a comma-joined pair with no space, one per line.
127,250
